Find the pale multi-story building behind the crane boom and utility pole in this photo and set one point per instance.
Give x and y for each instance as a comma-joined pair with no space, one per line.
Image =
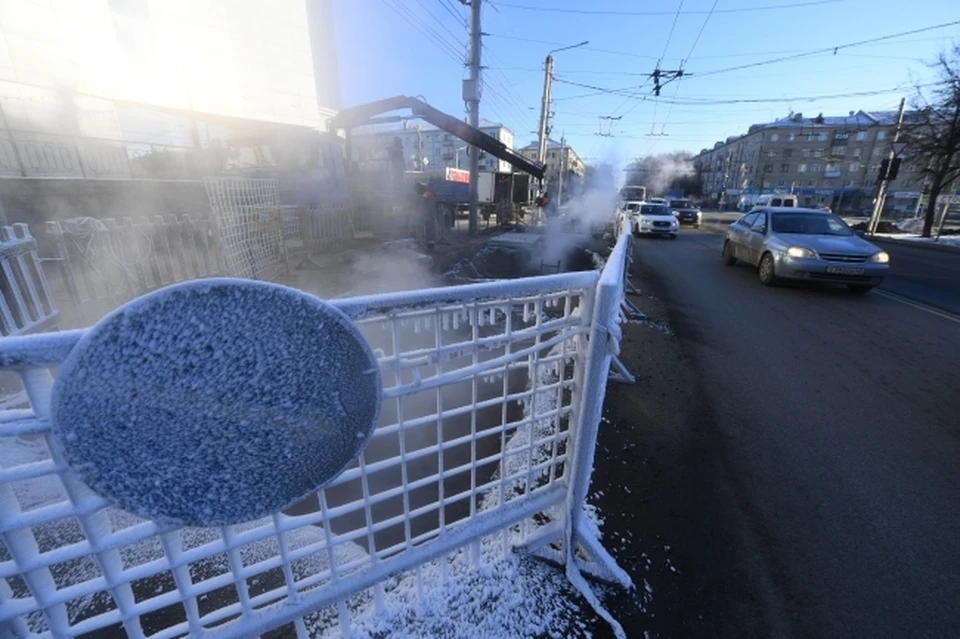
426,147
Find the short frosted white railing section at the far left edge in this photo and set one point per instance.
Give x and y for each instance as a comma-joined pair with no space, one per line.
26,304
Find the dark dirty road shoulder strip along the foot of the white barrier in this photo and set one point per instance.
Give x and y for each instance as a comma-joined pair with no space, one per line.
671,515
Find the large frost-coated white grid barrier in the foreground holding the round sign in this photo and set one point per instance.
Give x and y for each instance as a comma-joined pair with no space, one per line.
491,405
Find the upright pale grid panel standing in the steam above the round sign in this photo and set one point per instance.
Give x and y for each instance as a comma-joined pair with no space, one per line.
251,225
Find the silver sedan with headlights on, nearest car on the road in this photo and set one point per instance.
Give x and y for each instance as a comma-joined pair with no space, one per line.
804,244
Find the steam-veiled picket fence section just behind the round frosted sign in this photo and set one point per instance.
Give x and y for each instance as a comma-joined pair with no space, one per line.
105,263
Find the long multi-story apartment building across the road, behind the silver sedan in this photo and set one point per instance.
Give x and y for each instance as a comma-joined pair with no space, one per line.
832,160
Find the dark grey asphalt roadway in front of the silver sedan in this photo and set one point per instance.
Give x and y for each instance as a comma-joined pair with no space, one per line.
830,424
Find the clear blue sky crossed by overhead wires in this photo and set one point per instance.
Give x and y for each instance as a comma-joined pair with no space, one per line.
417,47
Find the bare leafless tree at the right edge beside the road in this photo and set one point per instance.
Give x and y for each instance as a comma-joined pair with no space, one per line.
934,132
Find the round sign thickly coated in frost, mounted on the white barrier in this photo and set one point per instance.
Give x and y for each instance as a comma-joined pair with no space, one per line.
216,401
